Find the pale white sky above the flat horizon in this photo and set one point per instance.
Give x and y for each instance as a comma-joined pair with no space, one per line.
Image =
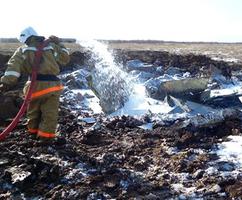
173,20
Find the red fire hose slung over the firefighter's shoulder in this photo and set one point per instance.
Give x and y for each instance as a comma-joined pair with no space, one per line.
27,99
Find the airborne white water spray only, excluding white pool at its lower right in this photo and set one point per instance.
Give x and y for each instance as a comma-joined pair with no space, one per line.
110,83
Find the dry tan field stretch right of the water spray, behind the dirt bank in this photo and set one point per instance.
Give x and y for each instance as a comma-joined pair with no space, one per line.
225,51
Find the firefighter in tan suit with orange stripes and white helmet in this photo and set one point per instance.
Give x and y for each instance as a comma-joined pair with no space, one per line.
42,112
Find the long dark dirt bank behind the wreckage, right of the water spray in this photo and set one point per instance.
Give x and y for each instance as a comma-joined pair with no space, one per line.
195,64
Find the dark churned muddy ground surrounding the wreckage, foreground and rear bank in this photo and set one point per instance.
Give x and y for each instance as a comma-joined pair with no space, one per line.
114,159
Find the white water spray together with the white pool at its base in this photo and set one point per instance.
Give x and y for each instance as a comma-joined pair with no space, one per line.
119,93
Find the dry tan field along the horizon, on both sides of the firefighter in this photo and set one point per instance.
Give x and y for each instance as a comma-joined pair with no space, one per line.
225,51
